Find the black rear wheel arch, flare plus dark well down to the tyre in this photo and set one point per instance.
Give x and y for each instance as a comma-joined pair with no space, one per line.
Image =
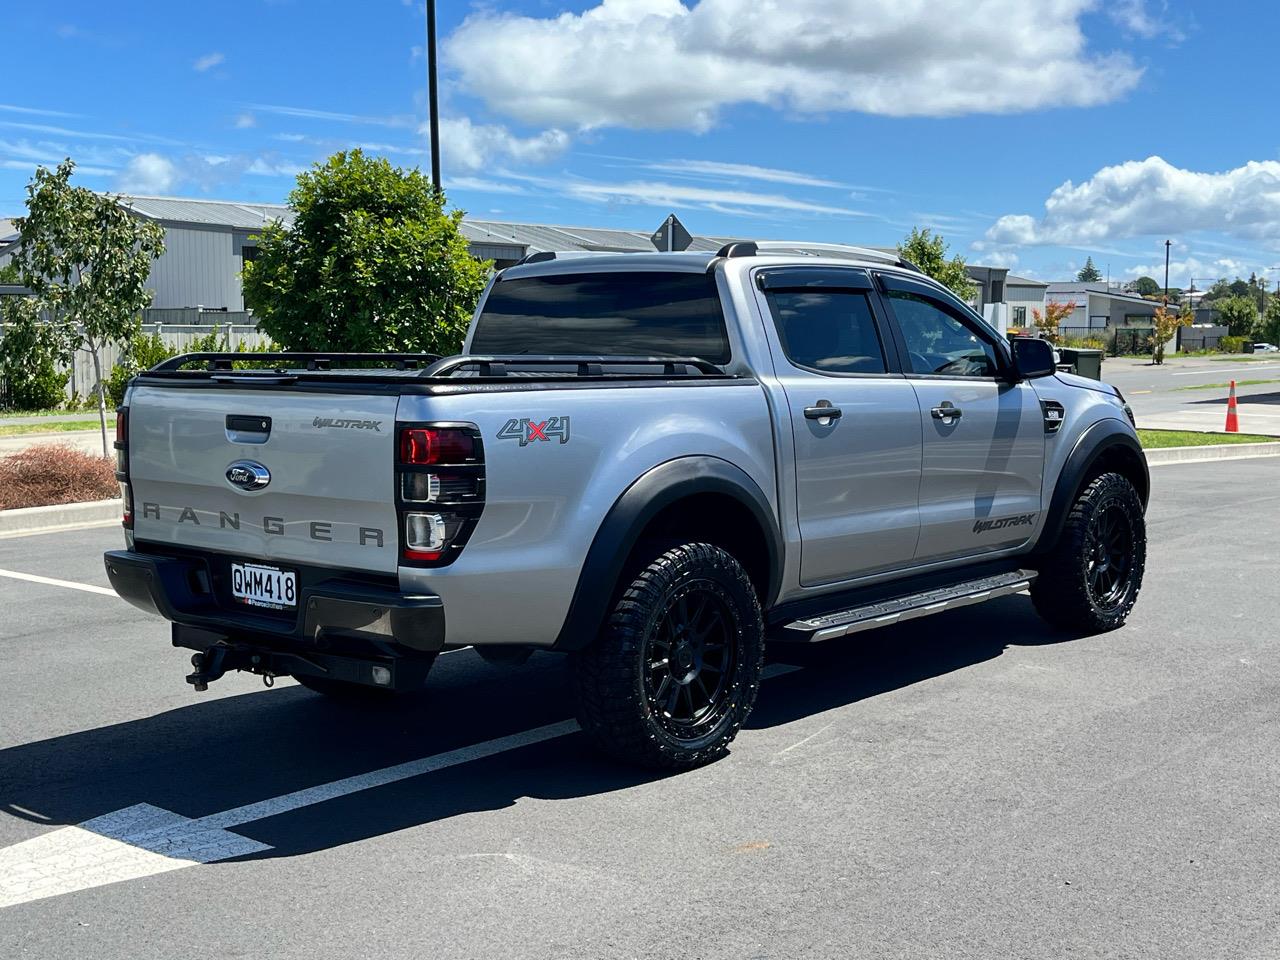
706,499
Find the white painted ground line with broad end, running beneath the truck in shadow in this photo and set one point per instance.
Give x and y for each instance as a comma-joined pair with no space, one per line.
144,840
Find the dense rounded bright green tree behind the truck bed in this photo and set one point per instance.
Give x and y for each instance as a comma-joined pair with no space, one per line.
372,263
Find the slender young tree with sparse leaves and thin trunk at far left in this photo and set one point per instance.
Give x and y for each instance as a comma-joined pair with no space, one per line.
88,260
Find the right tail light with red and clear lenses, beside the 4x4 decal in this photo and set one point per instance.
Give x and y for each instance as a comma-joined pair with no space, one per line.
440,491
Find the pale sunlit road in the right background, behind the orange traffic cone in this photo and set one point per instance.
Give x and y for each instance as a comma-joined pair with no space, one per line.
1168,397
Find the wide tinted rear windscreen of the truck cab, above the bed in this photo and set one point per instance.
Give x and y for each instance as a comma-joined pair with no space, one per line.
623,314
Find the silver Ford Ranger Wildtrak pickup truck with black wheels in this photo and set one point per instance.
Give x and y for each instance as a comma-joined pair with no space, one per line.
651,463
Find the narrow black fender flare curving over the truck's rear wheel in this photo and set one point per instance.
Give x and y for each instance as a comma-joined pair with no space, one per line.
629,516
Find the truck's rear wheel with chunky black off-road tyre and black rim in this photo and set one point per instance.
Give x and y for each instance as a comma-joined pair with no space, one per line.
694,607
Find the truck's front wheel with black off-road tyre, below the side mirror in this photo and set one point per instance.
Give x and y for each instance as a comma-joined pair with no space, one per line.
1090,579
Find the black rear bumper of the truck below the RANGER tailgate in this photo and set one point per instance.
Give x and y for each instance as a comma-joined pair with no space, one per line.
333,615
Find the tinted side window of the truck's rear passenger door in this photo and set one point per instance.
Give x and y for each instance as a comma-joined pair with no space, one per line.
831,332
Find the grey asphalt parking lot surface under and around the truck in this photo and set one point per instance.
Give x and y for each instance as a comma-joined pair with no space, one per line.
966,787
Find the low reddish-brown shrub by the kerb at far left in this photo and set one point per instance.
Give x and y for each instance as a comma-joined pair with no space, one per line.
44,476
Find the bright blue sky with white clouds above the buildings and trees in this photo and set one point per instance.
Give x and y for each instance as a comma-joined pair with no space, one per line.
1030,132
